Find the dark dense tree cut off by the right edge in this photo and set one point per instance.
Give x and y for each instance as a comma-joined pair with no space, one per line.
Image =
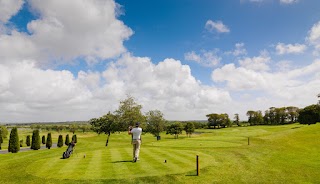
309,115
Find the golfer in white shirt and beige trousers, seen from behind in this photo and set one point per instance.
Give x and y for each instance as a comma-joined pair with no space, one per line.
136,140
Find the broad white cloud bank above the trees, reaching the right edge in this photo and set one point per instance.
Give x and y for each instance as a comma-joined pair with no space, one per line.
282,87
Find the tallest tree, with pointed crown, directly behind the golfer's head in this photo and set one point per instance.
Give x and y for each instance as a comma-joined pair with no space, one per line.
128,113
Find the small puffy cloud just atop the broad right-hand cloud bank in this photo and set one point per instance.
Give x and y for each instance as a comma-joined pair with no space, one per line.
259,63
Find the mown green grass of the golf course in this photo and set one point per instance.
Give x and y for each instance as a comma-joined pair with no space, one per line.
276,154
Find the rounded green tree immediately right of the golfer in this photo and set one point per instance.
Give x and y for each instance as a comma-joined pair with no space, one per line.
155,122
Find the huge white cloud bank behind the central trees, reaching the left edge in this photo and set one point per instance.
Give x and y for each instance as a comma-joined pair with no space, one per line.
28,93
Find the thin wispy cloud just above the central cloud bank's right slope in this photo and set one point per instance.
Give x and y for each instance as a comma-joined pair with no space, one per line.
206,58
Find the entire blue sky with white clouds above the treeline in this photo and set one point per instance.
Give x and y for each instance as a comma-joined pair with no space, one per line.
74,60
